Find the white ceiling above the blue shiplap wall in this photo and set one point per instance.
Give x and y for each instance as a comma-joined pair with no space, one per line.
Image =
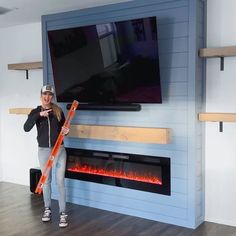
30,11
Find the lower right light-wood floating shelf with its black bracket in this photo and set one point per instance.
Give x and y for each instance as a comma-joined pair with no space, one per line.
217,117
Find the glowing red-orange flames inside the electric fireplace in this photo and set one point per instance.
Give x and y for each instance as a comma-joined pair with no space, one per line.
148,178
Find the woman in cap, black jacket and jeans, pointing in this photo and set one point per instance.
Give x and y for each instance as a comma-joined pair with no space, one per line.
49,119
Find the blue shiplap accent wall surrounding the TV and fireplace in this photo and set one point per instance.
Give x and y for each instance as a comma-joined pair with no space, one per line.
181,33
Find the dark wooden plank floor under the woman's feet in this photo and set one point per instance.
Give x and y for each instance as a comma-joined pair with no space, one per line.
21,211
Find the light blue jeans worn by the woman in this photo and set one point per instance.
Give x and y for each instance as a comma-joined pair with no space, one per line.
60,167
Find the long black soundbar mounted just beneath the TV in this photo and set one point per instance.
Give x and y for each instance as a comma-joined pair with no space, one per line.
108,107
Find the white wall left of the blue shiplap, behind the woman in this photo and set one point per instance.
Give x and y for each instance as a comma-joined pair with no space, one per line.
18,150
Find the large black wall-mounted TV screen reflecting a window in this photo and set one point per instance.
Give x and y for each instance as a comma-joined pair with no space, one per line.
111,63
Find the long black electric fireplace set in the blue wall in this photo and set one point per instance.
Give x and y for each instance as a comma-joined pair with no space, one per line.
140,172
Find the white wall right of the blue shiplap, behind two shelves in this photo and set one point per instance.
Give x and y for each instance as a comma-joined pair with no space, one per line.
220,154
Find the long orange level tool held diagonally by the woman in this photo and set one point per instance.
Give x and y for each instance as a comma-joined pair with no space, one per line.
55,149
